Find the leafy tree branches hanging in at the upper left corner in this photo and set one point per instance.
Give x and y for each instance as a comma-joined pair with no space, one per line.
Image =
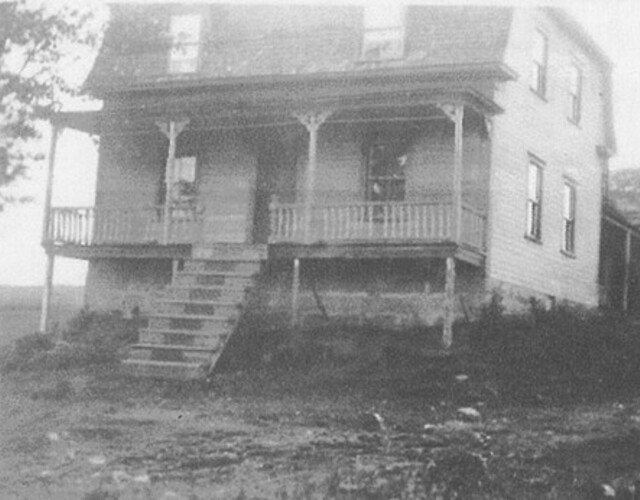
41,45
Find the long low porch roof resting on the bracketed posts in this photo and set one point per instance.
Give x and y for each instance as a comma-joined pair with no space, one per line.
227,112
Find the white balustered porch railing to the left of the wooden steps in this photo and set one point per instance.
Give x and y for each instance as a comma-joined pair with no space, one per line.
103,226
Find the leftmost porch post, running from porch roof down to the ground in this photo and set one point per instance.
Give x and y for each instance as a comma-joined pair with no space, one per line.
46,222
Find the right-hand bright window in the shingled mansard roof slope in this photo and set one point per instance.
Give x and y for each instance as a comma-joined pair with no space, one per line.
383,36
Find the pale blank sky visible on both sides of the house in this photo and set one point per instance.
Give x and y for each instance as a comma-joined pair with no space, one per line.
614,24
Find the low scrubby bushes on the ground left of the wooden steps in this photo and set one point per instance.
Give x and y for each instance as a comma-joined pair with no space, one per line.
90,338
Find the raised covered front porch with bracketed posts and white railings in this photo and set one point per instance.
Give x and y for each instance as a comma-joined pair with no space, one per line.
404,176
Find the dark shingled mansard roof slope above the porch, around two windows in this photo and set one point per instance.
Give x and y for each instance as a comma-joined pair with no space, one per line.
253,41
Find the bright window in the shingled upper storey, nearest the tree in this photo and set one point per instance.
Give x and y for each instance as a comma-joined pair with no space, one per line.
185,43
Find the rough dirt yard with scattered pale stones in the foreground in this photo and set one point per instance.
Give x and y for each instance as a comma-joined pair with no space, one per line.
302,436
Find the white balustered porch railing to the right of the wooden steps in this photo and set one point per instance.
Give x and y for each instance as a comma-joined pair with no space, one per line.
367,221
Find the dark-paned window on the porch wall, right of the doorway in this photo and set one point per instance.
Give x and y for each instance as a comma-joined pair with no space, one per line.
386,162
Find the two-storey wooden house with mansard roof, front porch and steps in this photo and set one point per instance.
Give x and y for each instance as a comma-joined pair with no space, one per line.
388,164
